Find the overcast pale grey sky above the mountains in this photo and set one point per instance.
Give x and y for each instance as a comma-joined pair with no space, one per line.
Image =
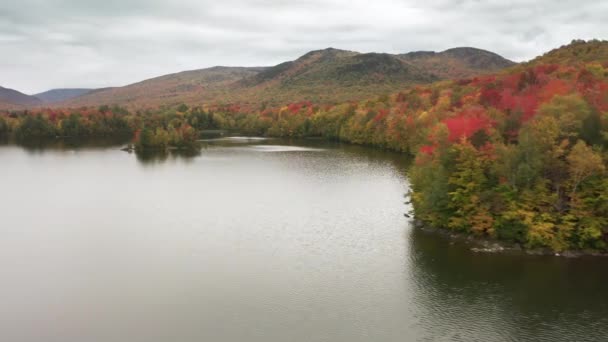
47,44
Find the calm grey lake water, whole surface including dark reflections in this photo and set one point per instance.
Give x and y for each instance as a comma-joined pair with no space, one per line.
259,240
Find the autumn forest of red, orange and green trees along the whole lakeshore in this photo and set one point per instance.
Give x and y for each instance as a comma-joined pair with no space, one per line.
520,156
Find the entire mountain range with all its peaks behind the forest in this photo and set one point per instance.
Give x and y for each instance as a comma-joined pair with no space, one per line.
321,76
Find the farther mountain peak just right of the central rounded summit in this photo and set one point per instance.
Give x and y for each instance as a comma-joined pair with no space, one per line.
464,62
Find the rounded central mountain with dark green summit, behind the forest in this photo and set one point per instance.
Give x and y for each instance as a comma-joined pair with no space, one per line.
332,75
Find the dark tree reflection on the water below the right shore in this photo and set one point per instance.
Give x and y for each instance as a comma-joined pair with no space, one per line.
476,296
